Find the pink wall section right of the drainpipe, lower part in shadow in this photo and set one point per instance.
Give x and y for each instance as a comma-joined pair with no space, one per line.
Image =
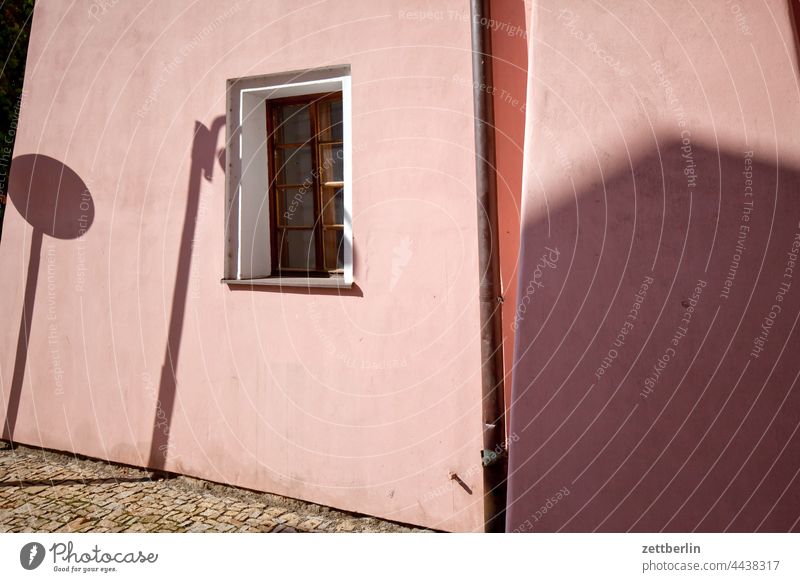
656,379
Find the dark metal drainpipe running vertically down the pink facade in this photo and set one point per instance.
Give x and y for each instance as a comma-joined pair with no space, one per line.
495,467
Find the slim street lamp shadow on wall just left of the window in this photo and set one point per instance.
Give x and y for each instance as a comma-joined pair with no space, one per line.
204,155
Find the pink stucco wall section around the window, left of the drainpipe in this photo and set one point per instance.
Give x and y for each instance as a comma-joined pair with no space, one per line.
365,400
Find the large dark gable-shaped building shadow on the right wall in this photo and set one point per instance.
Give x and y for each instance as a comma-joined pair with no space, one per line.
665,416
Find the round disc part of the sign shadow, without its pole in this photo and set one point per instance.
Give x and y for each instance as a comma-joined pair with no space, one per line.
50,196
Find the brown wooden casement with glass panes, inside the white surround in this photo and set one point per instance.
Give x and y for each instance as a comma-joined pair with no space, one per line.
306,176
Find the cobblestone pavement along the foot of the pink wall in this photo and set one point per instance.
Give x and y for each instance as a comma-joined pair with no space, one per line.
42,491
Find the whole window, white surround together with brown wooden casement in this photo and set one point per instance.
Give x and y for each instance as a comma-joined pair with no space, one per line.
288,186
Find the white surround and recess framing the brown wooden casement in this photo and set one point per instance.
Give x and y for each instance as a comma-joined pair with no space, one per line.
247,224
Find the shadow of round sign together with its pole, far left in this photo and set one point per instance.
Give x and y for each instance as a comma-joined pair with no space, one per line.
55,202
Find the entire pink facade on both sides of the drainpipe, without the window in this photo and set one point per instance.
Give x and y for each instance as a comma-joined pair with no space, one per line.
648,165
